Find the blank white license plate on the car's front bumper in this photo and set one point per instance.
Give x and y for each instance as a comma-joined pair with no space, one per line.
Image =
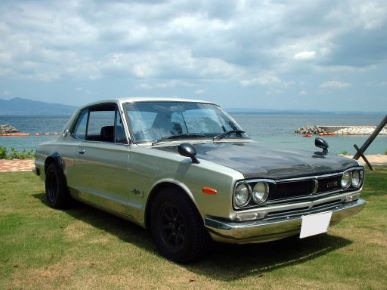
315,224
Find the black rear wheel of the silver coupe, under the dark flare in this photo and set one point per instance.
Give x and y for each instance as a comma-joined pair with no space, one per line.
56,189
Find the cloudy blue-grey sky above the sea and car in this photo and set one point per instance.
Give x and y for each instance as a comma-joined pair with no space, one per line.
325,55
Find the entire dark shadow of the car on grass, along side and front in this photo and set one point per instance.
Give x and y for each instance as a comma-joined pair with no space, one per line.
224,262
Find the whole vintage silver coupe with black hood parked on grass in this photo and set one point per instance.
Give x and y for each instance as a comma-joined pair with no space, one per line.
186,171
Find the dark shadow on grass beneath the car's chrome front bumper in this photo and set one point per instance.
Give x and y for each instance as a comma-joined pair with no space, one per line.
233,262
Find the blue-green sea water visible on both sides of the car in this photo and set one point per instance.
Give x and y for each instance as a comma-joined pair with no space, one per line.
273,128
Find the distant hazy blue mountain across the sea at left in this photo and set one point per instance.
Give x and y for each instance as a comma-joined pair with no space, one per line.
20,106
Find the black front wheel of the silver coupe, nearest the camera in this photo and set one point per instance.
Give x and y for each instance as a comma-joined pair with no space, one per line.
177,228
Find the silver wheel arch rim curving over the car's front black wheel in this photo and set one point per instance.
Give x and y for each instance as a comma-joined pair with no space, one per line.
158,187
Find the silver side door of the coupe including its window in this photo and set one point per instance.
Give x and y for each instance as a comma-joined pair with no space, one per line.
102,167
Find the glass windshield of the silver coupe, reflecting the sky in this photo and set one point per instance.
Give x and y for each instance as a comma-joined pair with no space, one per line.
160,120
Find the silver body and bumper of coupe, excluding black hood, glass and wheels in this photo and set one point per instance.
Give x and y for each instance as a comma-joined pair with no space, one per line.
120,178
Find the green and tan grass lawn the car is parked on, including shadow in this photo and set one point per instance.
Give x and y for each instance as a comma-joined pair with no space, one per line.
84,248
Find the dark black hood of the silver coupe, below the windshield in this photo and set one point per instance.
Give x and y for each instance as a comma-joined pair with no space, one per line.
255,160
